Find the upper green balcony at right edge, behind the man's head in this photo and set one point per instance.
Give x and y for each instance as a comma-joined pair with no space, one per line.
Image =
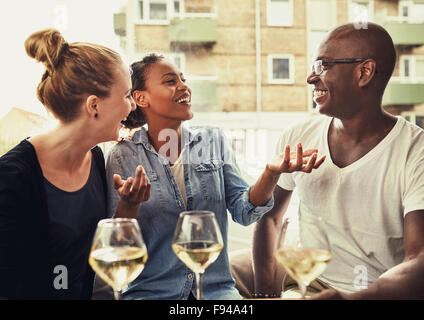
406,34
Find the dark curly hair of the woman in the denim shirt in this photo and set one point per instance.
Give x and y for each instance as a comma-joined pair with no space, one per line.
136,118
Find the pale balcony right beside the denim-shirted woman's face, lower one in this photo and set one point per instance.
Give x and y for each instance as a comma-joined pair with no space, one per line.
203,93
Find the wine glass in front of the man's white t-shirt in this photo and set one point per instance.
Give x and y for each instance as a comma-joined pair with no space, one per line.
304,252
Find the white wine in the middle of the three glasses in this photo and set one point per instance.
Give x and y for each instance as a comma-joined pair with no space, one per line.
197,255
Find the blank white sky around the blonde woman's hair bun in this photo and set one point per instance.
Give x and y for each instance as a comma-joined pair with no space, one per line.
78,20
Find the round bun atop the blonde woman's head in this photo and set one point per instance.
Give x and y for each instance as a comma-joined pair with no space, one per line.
46,46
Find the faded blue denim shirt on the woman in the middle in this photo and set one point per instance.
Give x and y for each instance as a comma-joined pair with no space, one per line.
213,182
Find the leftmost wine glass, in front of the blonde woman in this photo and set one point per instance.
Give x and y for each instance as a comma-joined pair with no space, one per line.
118,252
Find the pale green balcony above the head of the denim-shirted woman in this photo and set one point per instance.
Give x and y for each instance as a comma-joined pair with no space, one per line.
193,31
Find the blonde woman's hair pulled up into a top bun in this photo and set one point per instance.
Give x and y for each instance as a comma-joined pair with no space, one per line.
73,71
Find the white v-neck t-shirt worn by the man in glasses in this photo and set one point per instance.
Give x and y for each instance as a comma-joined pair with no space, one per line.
363,204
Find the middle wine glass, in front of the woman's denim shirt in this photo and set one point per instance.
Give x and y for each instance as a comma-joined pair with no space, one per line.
197,242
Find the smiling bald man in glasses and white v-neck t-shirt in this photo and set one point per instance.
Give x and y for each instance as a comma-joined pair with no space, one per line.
369,190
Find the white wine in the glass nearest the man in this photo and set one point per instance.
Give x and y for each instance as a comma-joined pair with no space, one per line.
304,264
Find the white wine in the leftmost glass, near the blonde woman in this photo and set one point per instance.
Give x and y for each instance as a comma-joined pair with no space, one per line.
118,266
